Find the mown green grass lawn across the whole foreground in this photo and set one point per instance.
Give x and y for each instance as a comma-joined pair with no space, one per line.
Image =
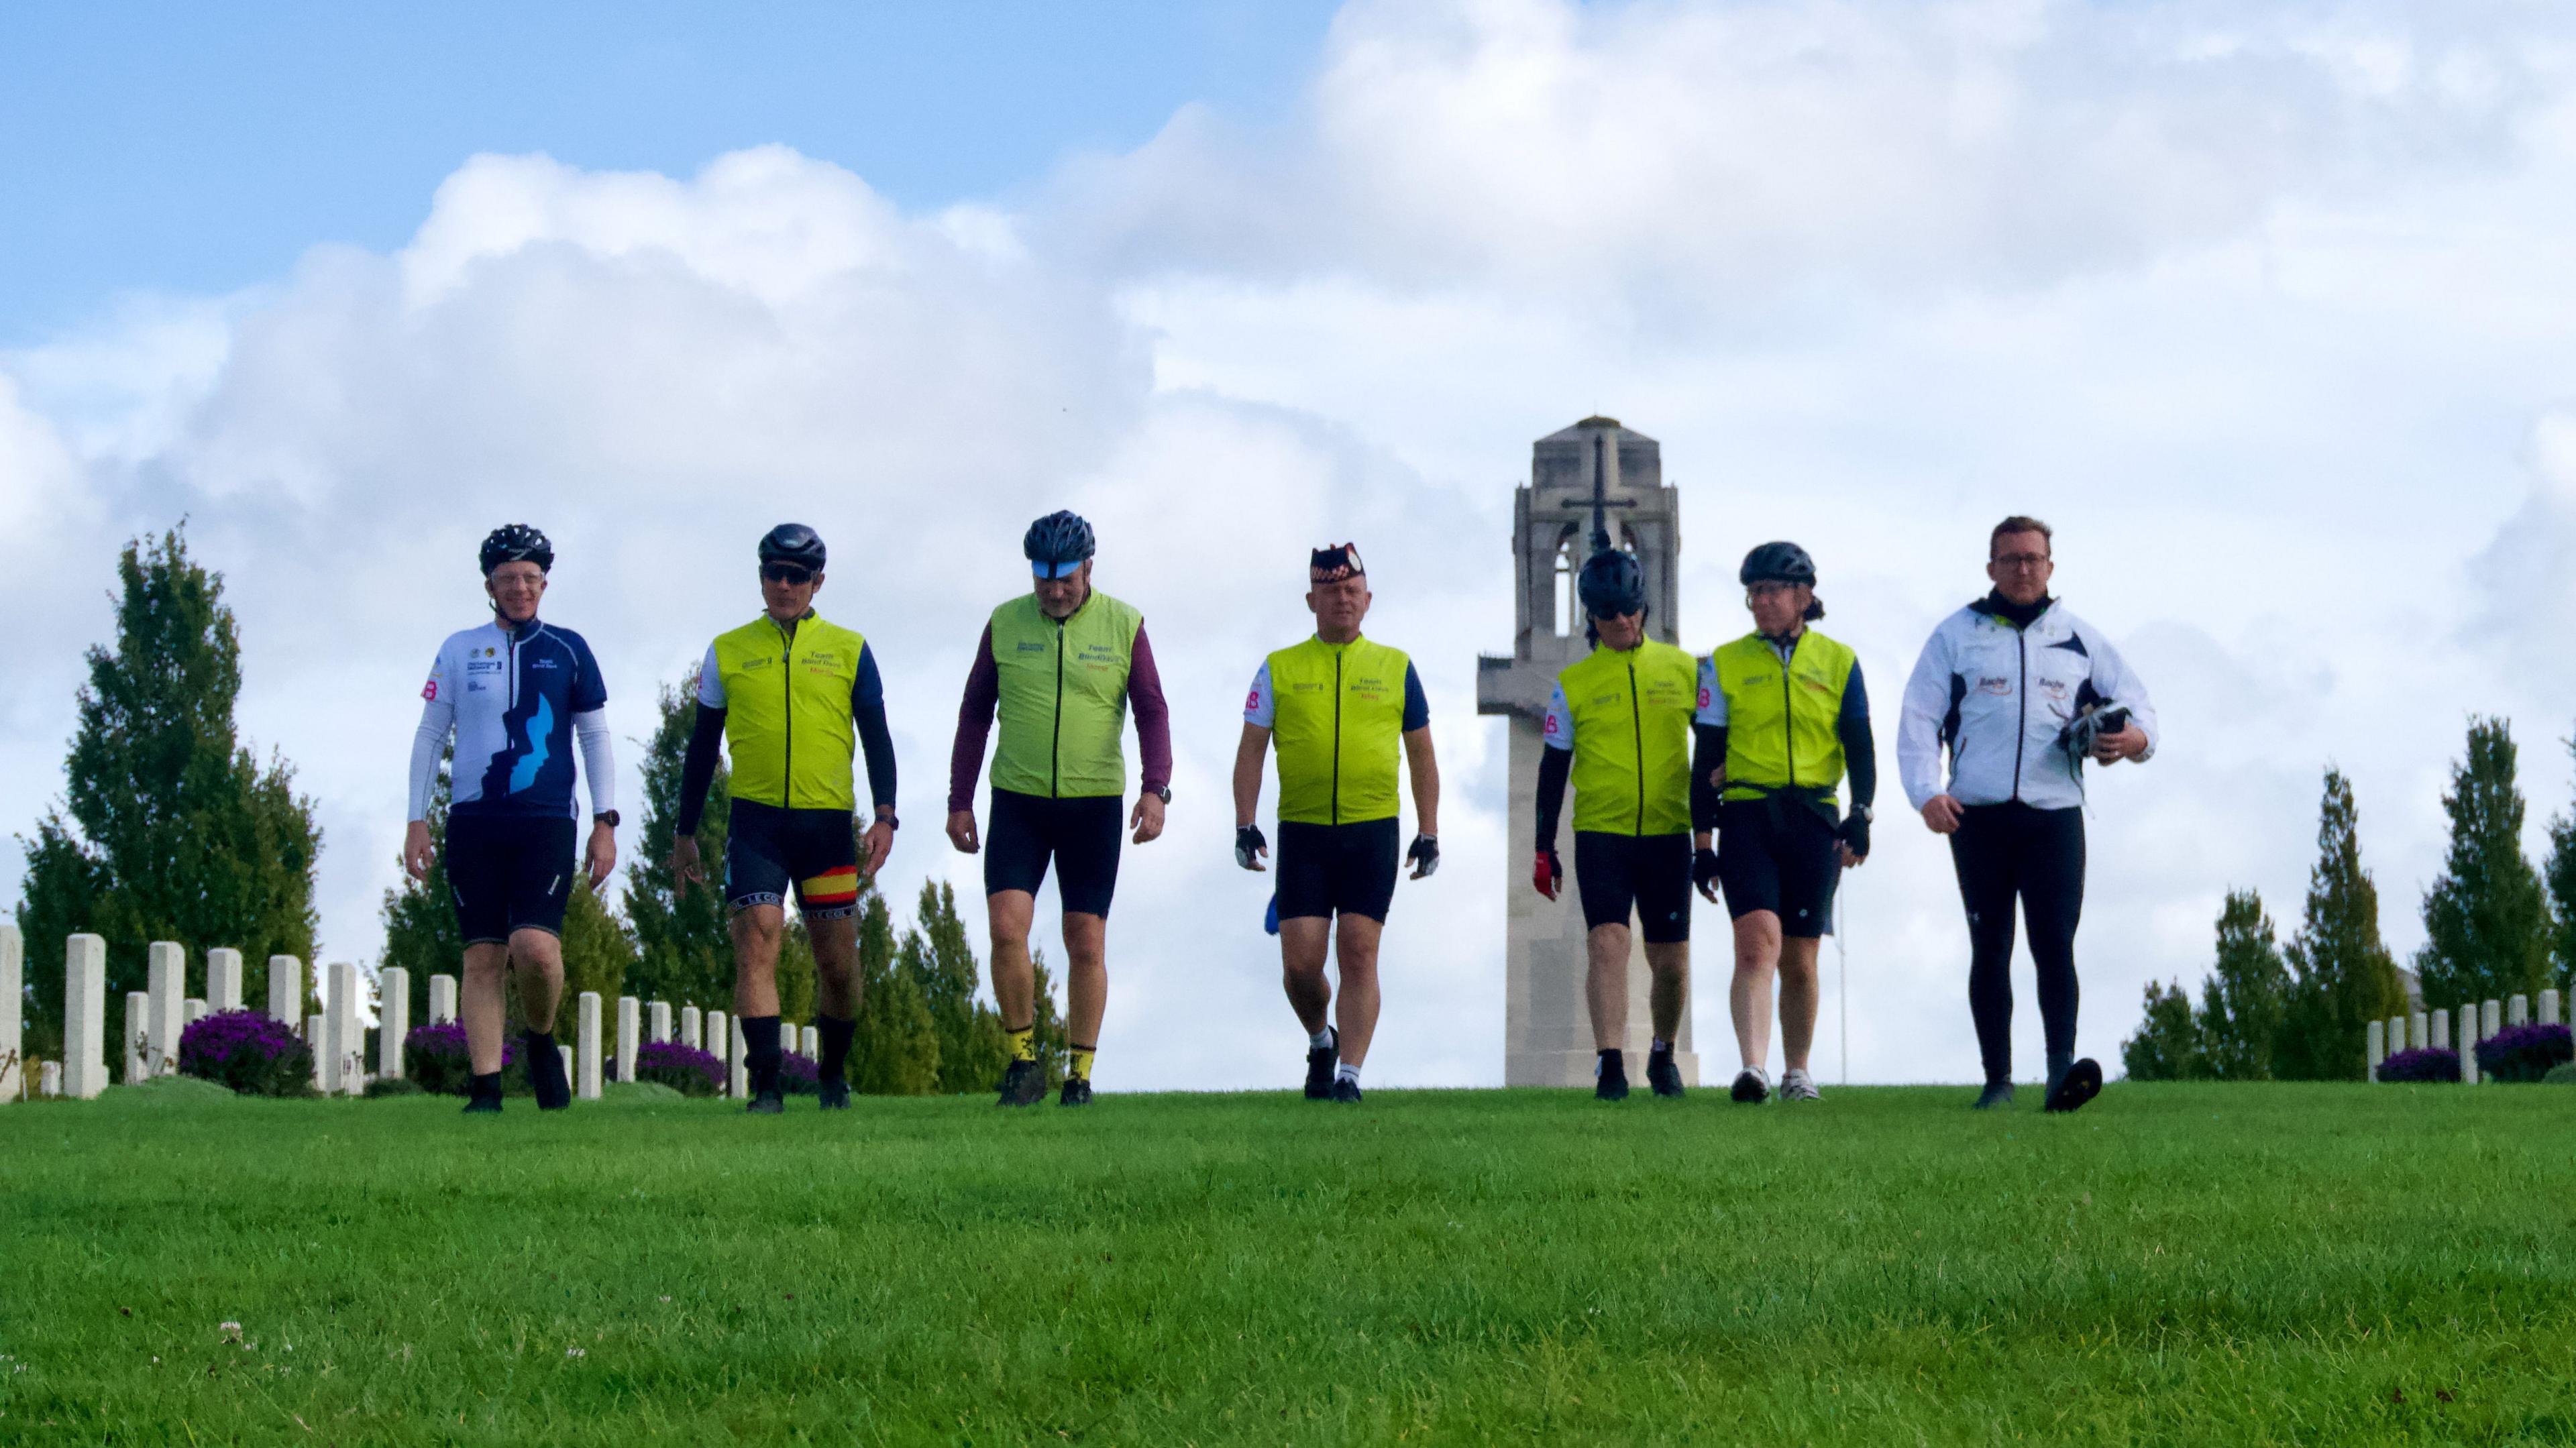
2175,1264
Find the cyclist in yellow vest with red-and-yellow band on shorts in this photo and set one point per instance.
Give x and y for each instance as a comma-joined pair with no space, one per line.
792,700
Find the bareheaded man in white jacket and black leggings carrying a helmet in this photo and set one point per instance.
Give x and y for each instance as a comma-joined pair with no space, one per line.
2021,692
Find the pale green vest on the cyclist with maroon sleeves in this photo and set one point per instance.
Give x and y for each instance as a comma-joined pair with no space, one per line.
1063,697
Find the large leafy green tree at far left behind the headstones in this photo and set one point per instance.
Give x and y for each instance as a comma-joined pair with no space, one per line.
176,828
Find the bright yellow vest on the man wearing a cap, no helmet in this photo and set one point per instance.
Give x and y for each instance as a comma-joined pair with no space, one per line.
1338,718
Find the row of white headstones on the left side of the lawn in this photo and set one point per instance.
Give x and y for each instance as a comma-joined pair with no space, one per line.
164,1009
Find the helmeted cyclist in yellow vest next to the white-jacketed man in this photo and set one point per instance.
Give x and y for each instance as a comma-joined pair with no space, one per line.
1781,720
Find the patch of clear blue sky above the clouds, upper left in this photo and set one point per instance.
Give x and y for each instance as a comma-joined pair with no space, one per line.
202,148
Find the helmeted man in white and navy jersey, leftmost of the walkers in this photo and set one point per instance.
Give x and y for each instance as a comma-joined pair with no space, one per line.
514,694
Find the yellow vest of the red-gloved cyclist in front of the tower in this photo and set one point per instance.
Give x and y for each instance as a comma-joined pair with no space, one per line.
1632,738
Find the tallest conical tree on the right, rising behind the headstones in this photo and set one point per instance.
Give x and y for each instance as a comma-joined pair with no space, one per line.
2487,926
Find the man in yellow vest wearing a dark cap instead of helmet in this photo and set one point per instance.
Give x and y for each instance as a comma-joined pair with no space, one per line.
1336,705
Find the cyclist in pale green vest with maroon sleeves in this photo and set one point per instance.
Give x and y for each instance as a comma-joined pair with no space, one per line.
1060,666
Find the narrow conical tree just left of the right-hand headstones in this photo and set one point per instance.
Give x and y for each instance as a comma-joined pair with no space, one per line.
2340,970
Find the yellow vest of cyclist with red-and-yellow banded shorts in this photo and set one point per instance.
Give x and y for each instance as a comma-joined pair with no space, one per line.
787,712
